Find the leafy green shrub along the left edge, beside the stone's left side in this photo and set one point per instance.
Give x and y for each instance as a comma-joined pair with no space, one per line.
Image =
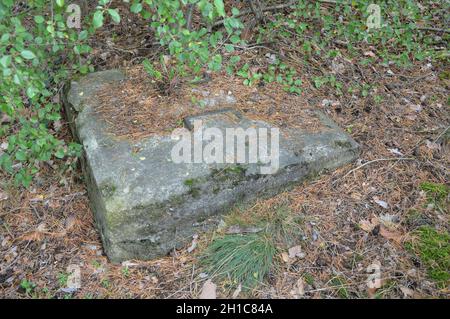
38,51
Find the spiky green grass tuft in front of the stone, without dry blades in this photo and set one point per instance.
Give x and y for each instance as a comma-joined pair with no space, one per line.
242,259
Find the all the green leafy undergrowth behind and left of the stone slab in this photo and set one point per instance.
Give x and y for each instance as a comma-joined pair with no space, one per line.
40,49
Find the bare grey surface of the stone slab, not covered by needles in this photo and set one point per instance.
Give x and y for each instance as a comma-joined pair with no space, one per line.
145,204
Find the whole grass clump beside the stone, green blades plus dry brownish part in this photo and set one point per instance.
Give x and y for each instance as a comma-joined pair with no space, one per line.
247,258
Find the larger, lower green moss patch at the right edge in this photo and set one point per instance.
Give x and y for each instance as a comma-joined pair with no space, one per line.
433,248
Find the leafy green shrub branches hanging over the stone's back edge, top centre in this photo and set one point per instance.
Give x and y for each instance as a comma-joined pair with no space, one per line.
190,47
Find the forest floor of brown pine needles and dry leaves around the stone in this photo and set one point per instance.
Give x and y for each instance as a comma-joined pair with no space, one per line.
380,211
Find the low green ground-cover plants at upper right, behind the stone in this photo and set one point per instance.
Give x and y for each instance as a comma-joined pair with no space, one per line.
313,35
